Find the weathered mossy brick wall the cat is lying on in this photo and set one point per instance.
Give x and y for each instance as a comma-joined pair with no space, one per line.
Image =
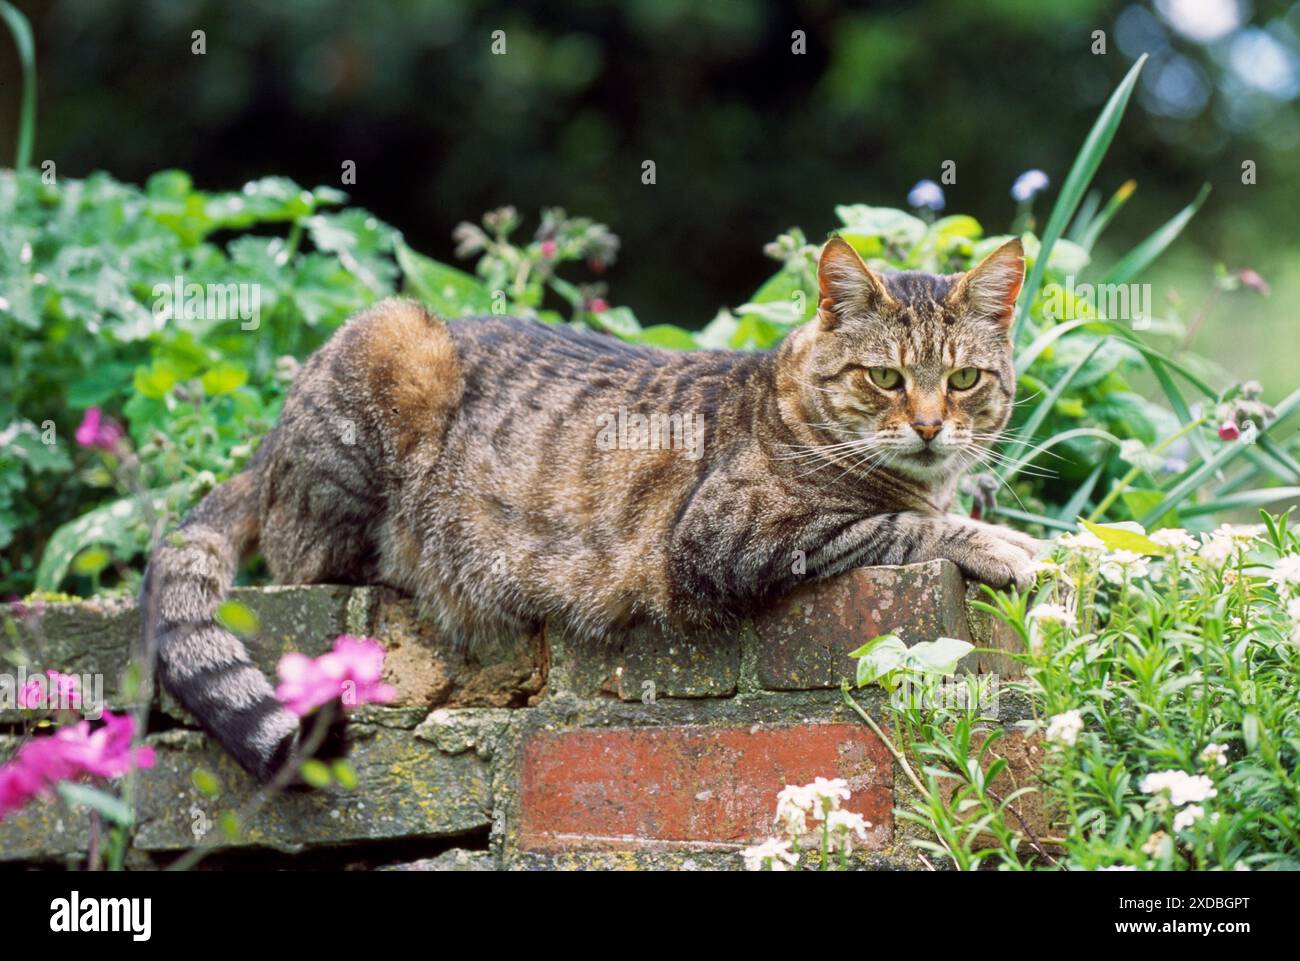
651,752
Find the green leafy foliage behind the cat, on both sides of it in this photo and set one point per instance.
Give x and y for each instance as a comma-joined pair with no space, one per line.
187,313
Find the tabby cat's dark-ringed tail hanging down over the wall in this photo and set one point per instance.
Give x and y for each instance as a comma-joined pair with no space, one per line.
205,666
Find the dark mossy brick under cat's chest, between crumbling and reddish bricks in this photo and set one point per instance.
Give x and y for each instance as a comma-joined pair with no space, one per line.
645,664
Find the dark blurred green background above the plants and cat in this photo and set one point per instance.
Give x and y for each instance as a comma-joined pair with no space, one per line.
748,137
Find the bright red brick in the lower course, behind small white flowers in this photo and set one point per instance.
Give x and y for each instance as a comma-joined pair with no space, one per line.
694,786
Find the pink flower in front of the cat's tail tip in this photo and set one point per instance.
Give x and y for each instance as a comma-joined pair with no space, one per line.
350,673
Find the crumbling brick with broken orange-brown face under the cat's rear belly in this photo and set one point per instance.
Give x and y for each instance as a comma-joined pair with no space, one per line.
430,670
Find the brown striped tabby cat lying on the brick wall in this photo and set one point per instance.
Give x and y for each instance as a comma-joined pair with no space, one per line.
506,473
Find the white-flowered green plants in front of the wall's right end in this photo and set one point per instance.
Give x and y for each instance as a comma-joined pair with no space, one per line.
1164,689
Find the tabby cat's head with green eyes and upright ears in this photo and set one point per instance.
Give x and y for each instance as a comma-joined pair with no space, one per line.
913,366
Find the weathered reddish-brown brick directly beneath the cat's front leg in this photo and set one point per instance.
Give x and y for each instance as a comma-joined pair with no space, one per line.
804,640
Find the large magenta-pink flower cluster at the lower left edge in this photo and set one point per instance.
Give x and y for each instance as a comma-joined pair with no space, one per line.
72,752
